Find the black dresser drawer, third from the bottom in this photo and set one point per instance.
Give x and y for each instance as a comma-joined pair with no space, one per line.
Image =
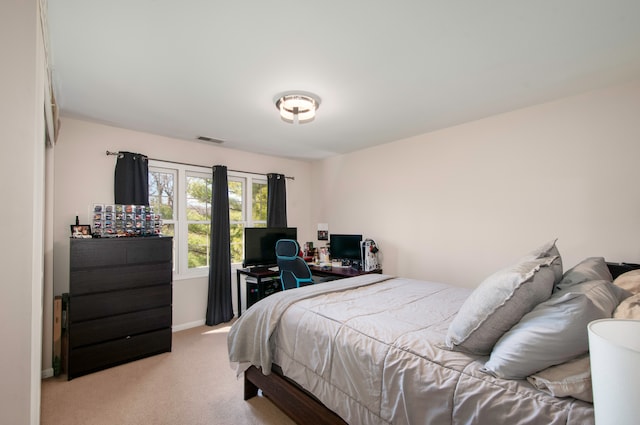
94,306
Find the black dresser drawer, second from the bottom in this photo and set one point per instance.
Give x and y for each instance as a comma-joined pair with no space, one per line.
120,326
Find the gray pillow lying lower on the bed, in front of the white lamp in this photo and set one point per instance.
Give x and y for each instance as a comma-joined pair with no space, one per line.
553,332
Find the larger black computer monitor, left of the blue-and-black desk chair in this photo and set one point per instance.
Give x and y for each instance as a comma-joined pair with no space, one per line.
260,244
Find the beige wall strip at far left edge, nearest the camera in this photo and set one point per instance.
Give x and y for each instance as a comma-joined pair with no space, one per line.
22,193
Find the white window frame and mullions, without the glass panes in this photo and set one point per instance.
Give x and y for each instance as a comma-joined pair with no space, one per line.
180,222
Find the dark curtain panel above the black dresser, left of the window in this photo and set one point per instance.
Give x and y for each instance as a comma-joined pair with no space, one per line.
131,183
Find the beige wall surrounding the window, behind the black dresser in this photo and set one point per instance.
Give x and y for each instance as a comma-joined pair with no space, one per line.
84,176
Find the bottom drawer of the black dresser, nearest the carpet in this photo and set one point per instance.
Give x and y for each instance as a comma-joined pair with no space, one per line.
100,356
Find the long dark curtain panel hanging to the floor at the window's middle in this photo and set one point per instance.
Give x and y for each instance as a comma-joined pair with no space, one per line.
219,303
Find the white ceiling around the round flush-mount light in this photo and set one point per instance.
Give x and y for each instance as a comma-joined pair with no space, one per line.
385,70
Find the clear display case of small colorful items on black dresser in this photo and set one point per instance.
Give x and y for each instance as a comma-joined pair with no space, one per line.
113,220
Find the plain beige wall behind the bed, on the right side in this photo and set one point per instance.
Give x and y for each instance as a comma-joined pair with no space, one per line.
457,204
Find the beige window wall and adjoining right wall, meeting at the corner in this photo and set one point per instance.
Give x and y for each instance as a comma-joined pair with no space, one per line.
452,206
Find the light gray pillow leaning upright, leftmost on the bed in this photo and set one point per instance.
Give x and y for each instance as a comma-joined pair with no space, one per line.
499,302
